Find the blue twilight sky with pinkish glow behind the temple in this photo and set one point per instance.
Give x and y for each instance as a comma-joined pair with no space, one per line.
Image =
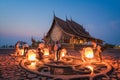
22,19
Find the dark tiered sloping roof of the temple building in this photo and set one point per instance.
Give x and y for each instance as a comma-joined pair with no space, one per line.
70,27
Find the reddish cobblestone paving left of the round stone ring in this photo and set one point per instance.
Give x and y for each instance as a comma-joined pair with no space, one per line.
11,70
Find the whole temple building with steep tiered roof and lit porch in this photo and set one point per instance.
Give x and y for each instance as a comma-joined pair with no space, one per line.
69,33
